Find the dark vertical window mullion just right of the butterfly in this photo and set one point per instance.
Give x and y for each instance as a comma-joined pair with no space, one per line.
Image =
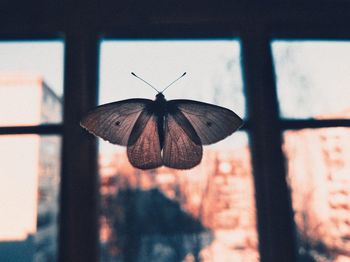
275,222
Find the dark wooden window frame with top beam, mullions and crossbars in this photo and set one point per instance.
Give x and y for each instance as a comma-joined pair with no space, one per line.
83,23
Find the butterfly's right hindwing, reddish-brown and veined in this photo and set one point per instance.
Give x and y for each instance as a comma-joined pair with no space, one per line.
182,147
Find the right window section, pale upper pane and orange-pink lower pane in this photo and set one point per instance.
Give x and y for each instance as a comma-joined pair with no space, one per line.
312,83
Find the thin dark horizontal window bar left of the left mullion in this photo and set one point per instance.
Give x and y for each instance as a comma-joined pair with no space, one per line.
41,129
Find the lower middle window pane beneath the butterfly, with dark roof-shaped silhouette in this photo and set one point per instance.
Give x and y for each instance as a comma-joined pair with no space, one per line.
206,212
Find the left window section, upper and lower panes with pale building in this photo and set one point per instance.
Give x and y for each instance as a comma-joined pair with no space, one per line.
31,85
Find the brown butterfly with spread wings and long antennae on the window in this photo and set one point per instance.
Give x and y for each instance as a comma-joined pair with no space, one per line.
161,132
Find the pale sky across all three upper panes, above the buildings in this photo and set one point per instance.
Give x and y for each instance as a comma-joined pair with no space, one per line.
312,76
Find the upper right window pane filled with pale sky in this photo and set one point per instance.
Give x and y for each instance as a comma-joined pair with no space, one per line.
313,78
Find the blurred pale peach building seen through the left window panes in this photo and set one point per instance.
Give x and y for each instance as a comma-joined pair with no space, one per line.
30,170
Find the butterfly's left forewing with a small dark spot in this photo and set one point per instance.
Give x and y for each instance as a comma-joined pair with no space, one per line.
114,122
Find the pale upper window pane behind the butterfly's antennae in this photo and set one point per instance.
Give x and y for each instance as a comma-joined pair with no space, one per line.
213,71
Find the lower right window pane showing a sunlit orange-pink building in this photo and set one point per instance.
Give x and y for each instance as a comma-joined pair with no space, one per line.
319,176
